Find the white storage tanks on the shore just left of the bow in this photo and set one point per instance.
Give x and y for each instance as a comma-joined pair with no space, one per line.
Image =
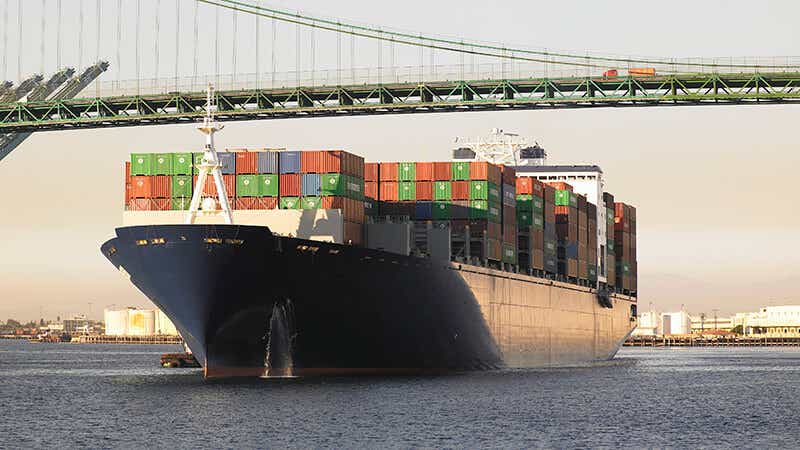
132,321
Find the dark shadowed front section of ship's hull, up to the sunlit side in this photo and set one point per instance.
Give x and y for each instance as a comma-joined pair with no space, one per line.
250,303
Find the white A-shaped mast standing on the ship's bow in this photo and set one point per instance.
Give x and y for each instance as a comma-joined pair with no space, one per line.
209,165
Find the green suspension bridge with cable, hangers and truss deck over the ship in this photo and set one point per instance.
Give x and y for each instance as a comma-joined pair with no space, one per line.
449,74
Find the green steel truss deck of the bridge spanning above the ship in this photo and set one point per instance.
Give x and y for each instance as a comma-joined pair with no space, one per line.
447,96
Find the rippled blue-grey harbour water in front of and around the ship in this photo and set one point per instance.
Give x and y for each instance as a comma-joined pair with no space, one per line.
90,395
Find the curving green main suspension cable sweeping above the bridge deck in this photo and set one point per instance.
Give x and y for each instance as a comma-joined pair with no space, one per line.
468,47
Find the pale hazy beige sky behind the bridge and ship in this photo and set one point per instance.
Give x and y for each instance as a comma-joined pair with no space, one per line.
713,186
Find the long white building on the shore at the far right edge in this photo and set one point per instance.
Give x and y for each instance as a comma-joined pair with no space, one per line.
770,321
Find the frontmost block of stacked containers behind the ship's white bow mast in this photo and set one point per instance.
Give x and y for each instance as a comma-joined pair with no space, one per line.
254,180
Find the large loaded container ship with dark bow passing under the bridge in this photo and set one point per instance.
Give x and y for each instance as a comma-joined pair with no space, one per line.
293,263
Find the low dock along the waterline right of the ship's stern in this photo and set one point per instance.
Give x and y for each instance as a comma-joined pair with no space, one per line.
720,341
